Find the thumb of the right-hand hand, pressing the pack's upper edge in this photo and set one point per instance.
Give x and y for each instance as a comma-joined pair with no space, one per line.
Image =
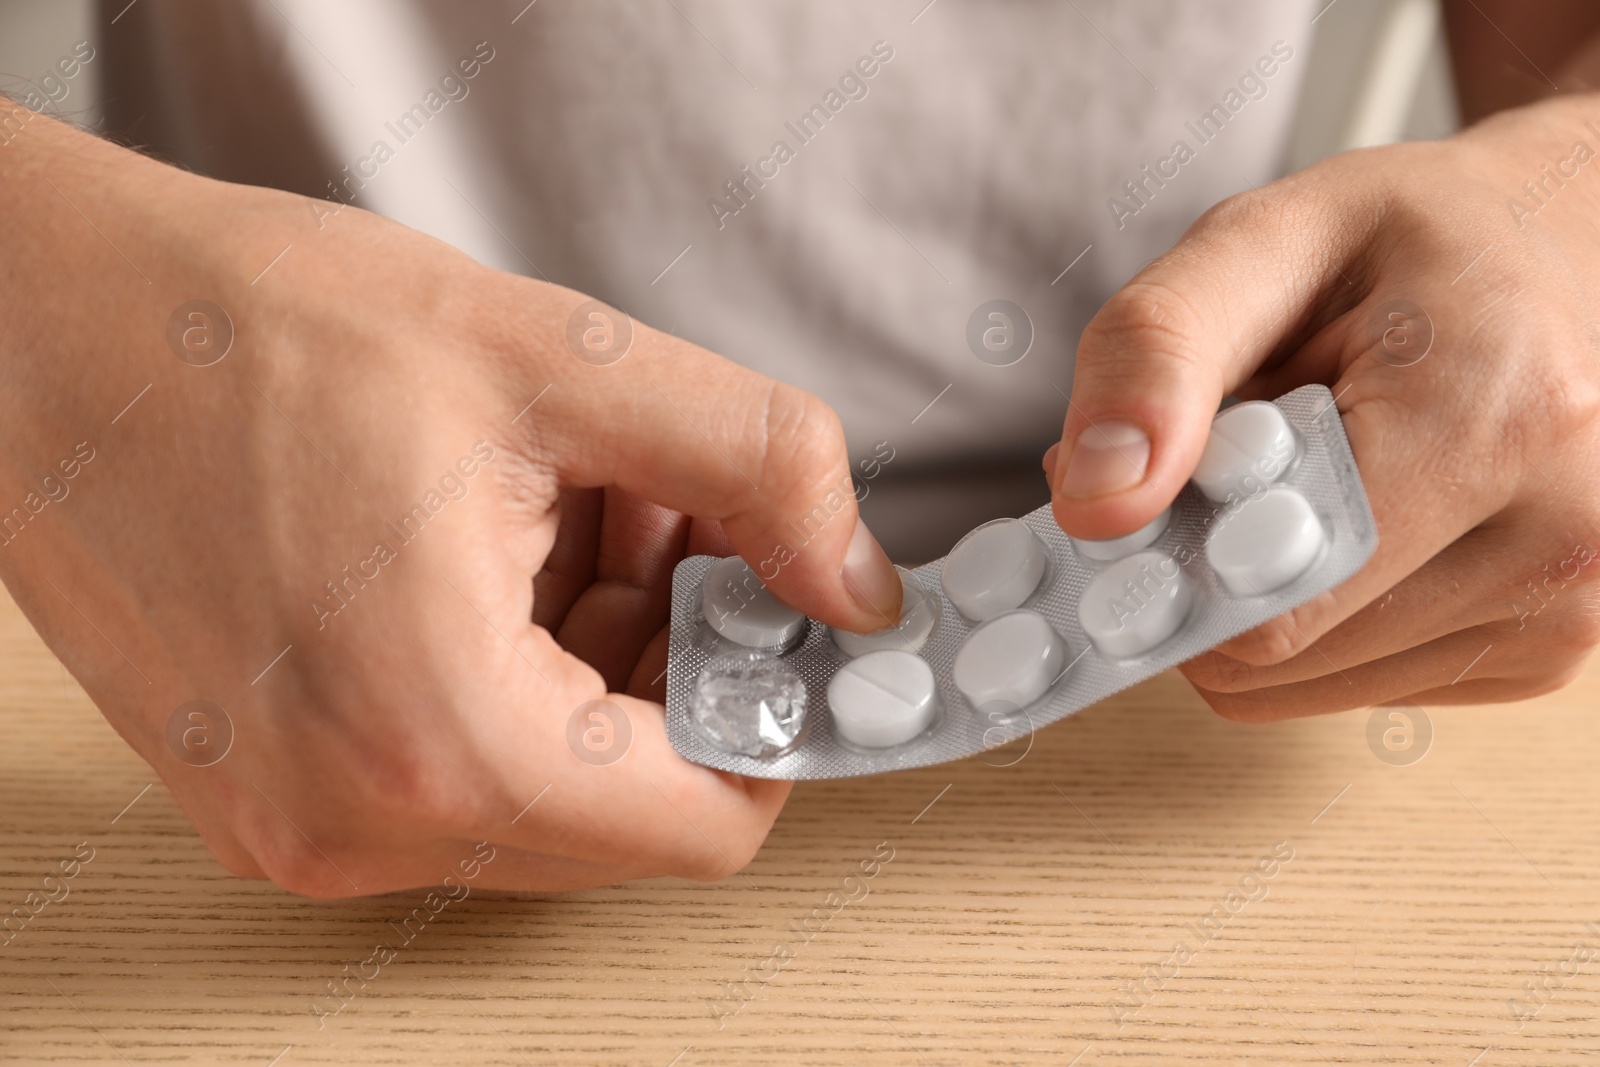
1161,354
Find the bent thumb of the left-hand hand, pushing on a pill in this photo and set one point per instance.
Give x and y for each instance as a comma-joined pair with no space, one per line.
695,433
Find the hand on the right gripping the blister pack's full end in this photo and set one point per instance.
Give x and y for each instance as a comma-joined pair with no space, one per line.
1460,338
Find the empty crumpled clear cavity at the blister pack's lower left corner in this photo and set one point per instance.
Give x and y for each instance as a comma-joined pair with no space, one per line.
750,703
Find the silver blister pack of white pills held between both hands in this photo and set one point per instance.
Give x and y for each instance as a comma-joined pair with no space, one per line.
1020,625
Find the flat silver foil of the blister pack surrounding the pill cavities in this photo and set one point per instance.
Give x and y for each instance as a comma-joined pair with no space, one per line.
1324,473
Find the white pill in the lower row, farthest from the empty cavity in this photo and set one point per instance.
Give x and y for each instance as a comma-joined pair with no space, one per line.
1266,545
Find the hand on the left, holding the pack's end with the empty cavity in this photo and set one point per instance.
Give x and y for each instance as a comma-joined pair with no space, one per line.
334,532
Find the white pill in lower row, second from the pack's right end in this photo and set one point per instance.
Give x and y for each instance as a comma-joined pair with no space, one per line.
1135,604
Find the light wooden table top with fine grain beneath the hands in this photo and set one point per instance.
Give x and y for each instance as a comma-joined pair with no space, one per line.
1020,913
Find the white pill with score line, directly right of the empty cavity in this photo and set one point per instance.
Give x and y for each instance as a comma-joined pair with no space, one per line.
882,700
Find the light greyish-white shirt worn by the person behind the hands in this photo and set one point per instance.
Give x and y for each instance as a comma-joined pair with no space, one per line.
823,191
